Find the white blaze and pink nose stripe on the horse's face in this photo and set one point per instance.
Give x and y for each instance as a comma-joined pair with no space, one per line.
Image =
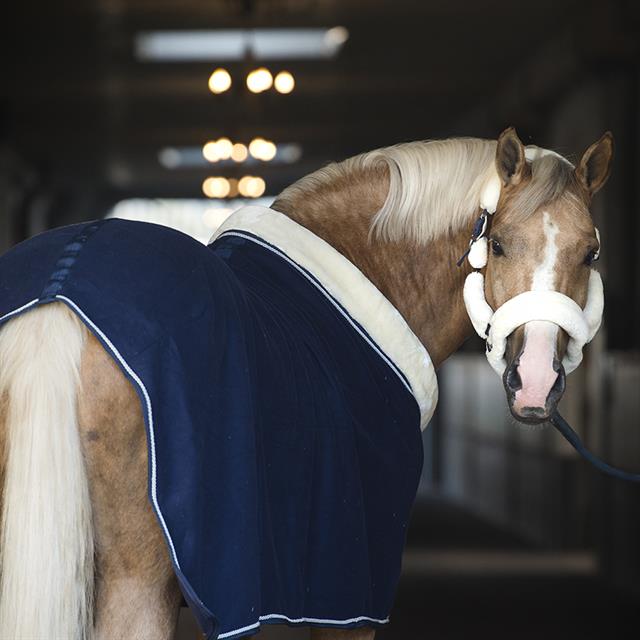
536,362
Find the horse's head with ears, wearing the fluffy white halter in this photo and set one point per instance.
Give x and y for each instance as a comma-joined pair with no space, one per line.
538,252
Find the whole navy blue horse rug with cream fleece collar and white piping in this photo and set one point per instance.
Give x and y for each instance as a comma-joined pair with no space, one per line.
283,398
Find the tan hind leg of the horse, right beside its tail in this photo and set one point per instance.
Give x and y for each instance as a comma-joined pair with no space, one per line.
137,594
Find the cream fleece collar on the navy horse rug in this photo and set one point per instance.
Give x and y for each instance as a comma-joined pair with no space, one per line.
353,290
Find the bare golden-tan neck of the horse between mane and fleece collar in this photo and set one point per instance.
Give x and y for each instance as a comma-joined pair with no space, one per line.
422,282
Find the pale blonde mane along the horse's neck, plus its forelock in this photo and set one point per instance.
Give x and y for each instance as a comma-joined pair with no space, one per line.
435,186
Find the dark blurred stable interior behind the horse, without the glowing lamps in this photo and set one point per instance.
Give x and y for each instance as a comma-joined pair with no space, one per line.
512,535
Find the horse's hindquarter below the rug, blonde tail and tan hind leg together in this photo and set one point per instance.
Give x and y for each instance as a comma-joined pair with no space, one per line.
73,468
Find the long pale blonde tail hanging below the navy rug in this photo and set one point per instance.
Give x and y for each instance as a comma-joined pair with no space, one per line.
46,552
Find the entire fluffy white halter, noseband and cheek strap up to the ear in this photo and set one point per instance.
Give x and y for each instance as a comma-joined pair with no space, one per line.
495,326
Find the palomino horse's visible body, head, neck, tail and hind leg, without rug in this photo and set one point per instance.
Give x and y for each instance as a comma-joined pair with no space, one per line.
83,555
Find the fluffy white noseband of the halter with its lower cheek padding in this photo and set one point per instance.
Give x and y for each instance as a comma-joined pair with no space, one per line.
580,324
